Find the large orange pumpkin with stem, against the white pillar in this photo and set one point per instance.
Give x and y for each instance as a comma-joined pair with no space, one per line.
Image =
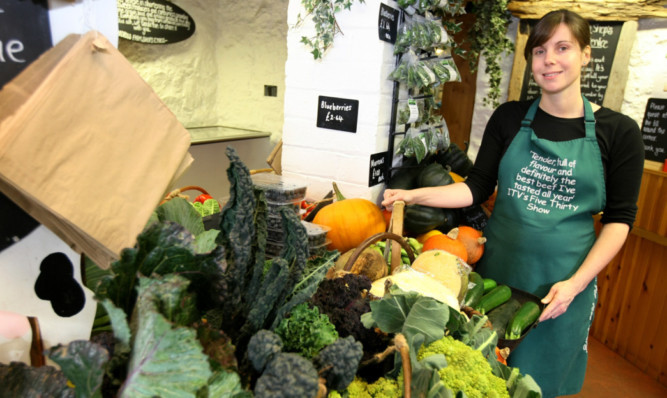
351,221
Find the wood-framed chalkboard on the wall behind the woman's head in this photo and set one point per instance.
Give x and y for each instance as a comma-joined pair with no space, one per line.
604,39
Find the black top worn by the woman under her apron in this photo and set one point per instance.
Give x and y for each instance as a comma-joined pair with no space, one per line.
619,138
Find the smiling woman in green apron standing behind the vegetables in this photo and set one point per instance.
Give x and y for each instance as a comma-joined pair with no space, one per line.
557,161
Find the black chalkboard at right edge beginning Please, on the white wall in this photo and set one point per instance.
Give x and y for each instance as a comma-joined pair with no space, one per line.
653,129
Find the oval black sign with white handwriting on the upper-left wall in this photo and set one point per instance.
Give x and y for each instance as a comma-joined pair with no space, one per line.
153,22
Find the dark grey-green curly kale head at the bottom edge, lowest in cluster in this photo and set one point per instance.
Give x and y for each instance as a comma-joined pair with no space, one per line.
288,375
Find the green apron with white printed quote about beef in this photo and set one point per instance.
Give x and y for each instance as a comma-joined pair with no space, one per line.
540,231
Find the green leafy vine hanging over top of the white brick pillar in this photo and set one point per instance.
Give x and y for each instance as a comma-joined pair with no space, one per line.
323,14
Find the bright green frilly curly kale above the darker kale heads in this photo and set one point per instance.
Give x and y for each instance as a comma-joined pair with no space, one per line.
306,331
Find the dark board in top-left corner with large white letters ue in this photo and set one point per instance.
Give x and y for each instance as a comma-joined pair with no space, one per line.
25,34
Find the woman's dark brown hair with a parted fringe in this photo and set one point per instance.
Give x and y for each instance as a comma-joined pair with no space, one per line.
547,25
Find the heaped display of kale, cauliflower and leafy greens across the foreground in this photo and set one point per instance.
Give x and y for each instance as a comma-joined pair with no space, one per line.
206,313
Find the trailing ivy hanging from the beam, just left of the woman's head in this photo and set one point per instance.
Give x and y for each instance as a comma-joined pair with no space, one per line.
488,38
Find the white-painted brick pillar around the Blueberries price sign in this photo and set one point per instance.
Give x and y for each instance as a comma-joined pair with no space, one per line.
356,67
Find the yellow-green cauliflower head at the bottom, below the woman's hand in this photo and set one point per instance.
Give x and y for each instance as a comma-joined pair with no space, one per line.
467,370
